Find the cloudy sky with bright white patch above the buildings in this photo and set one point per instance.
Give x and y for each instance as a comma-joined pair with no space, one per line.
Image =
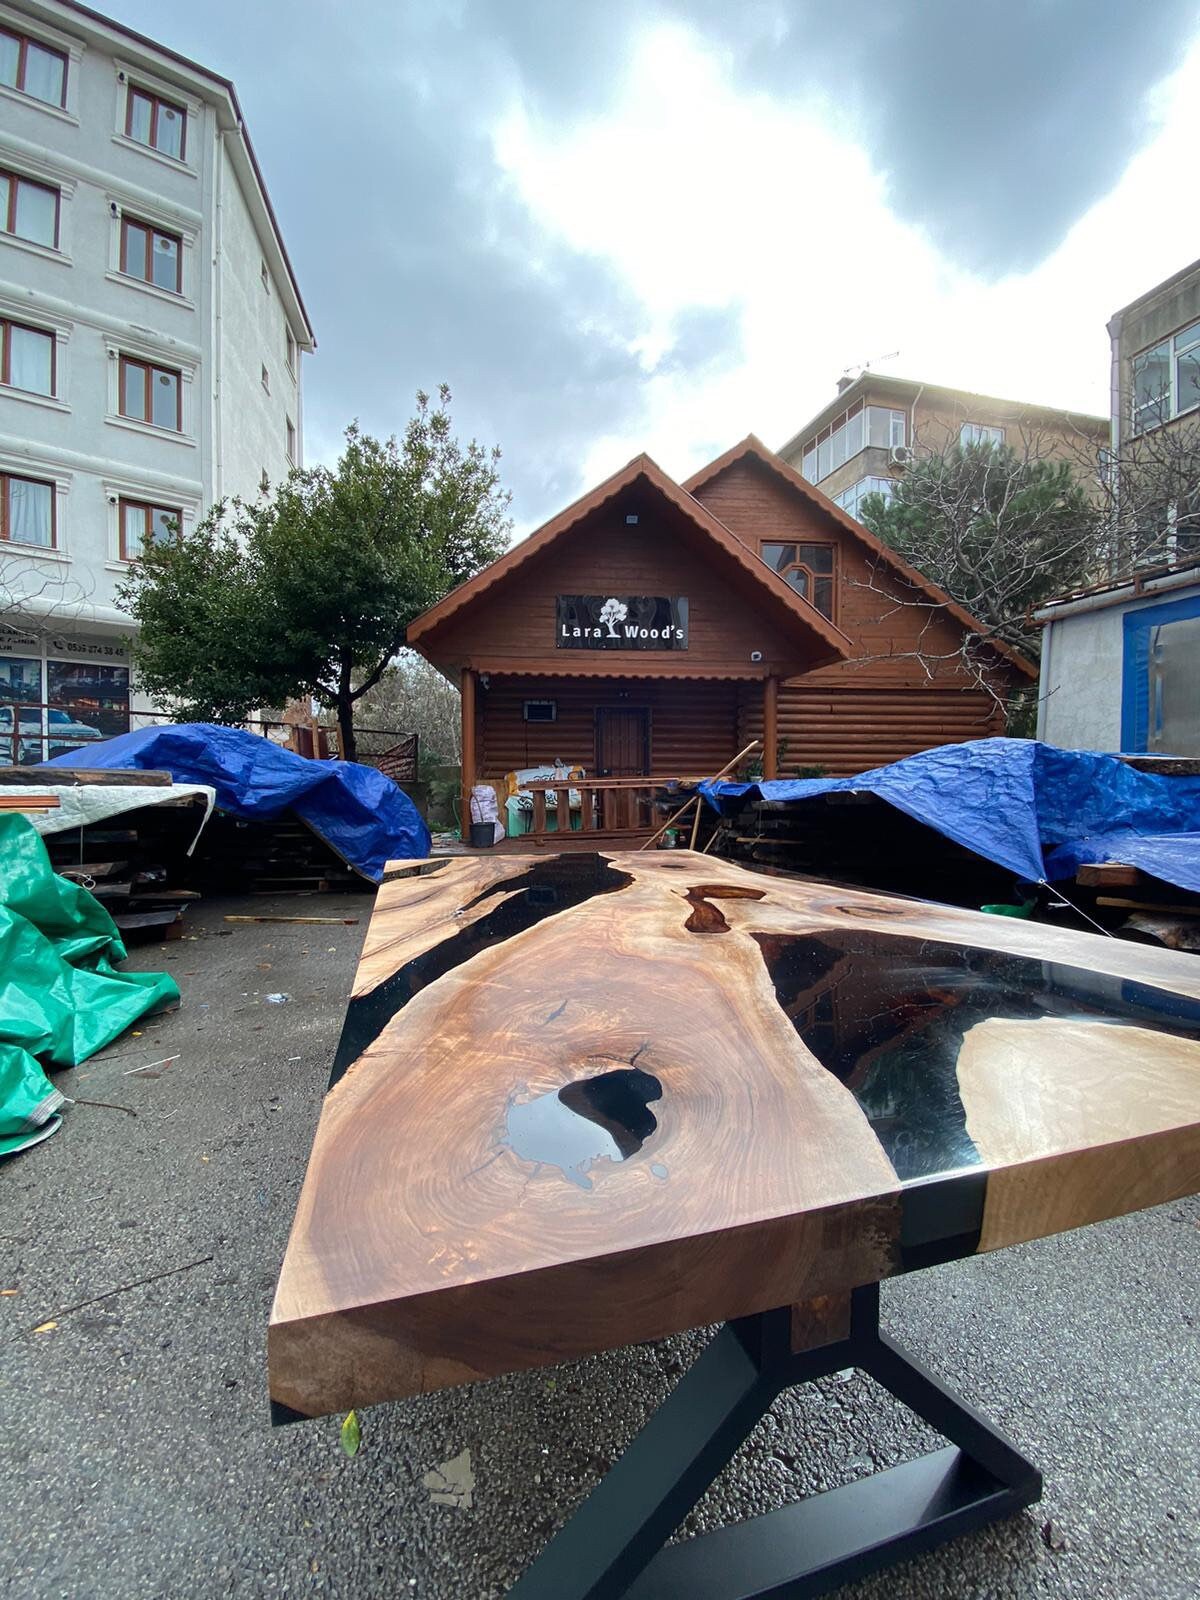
662,225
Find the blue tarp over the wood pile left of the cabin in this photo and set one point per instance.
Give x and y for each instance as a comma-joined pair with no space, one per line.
356,810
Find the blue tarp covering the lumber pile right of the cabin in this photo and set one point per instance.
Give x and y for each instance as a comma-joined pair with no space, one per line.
1030,807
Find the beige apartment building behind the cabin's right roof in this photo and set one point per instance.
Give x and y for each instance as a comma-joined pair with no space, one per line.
865,439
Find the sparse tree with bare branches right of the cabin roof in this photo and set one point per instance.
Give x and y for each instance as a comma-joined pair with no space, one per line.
999,530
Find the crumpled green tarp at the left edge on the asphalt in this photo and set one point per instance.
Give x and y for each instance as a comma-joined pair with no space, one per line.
62,999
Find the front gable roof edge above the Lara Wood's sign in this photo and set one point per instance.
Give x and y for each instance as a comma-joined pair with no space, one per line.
642,473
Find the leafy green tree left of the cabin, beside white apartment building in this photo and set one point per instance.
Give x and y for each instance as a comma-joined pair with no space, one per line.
310,591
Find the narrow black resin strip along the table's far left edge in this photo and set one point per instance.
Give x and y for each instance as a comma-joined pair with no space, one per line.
542,892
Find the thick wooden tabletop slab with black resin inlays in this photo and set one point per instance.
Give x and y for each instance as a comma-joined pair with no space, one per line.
588,1100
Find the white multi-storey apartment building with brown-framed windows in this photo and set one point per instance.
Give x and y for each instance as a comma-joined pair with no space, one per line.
151,342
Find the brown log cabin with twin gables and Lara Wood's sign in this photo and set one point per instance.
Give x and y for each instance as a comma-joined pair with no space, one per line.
657,628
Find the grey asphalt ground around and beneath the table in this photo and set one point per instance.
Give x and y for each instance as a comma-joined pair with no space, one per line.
137,1457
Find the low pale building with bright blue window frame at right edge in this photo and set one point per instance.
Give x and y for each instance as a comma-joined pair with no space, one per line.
1121,666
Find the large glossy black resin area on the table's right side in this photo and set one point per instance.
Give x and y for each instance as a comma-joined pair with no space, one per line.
887,1015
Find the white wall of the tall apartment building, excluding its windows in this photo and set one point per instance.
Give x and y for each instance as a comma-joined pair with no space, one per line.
218,332
